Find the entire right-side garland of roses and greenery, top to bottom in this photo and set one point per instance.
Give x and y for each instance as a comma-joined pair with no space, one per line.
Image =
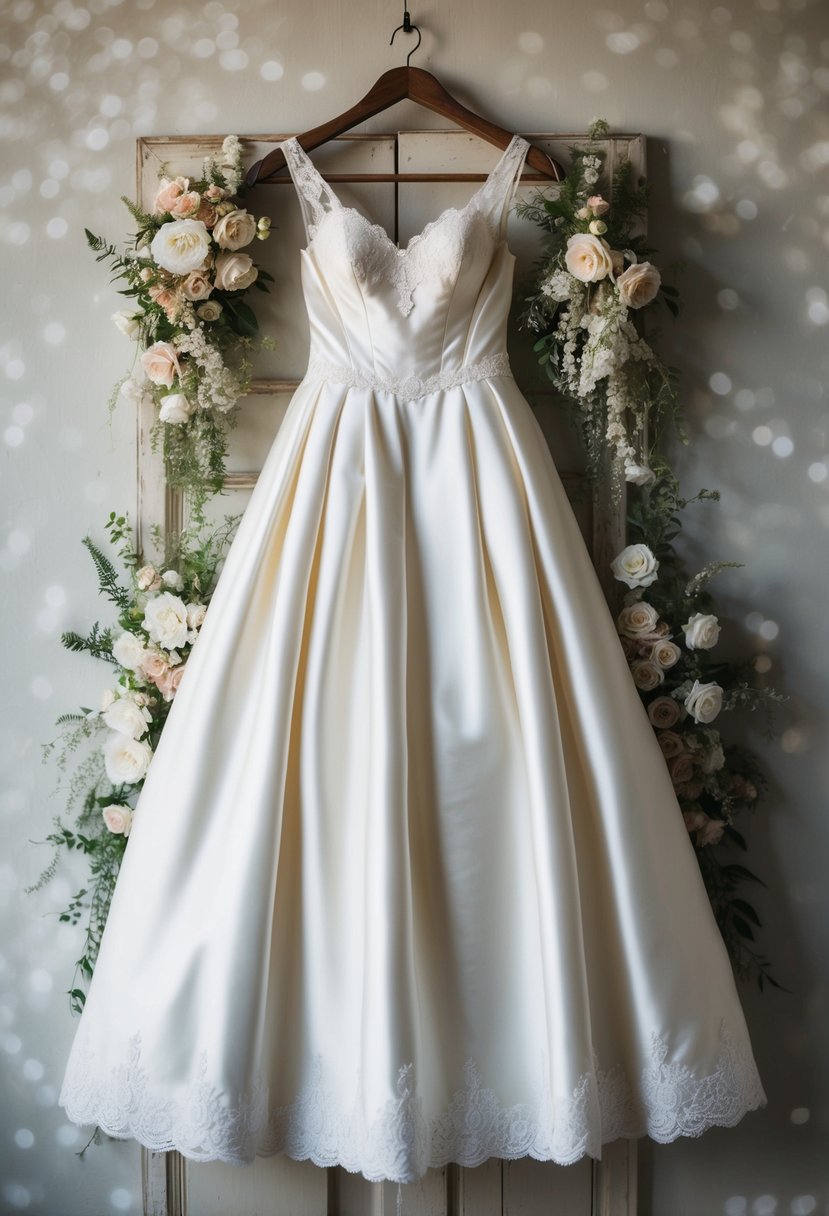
590,291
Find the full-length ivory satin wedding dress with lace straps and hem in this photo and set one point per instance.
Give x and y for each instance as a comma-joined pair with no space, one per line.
408,882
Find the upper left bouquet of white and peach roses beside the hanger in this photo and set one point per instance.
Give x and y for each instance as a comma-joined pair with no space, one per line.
188,277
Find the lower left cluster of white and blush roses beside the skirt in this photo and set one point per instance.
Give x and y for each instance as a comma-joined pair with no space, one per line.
160,612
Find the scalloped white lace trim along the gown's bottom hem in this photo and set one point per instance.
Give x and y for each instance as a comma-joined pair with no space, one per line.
401,1144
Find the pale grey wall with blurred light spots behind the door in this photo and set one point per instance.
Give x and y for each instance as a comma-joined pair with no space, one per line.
734,99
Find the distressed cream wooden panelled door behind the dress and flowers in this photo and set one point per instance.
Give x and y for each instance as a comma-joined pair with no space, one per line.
359,166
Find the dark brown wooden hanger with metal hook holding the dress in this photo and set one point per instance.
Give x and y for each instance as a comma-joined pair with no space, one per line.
402,85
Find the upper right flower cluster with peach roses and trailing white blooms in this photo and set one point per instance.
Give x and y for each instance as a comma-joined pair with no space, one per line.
593,280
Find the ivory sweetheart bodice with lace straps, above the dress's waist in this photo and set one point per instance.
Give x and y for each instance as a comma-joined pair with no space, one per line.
422,313
